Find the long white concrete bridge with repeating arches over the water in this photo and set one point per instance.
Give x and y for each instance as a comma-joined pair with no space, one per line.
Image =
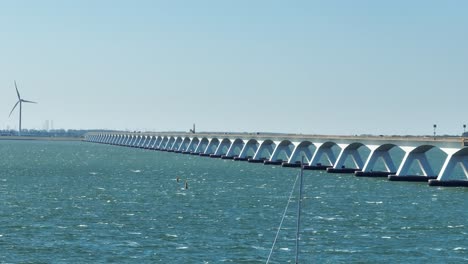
440,161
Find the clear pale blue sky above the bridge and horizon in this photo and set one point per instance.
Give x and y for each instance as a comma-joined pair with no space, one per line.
322,67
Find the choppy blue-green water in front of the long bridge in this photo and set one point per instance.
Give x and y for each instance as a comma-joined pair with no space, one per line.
76,202
